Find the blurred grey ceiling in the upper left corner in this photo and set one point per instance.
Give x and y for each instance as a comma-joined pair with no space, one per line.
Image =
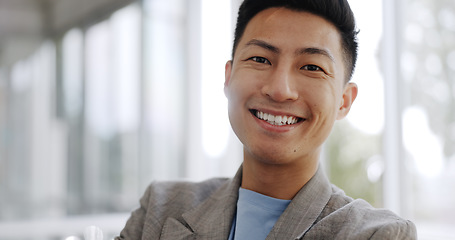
25,23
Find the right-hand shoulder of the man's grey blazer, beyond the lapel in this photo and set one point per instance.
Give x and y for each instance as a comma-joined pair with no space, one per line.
356,219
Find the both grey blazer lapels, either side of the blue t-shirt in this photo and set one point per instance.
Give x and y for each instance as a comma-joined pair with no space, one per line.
212,219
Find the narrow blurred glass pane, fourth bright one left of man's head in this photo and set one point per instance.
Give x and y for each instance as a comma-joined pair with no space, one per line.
99,134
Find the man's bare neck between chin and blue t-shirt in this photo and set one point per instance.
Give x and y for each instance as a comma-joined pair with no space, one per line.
282,181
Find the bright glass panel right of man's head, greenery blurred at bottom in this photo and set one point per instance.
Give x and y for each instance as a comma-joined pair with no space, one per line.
353,153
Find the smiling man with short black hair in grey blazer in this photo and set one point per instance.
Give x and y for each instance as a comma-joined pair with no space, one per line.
287,83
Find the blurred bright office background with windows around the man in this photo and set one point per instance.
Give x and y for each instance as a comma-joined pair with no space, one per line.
98,98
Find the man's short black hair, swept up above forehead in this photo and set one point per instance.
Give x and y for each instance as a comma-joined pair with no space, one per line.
338,12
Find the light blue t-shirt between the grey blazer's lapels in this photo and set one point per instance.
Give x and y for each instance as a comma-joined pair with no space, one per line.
256,215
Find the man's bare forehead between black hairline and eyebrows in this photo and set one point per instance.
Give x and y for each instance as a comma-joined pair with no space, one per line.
290,30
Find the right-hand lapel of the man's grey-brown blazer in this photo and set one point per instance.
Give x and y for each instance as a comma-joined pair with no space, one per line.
304,209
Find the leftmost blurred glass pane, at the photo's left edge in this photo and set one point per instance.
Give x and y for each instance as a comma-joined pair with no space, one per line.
16,184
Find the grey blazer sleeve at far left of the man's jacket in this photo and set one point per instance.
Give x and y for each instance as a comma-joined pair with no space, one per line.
135,224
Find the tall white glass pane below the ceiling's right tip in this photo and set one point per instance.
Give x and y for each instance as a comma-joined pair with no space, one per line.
126,76
